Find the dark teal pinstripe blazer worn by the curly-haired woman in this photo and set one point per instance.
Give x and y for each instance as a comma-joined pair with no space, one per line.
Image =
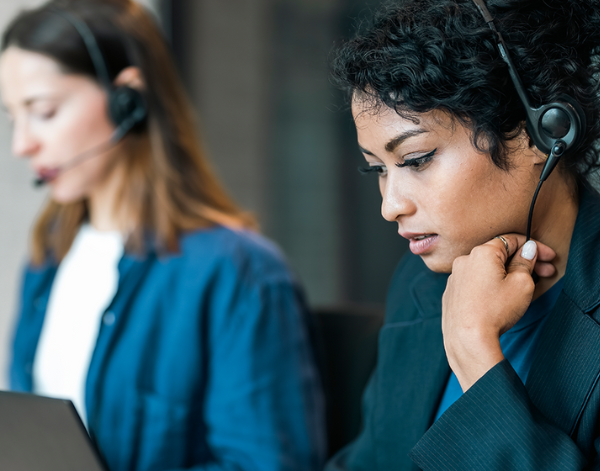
550,423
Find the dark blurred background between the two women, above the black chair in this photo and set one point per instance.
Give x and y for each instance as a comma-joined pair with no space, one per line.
281,136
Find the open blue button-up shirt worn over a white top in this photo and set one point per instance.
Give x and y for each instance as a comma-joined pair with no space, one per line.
203,360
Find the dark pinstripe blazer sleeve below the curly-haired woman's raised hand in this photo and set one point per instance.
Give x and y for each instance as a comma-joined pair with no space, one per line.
495,426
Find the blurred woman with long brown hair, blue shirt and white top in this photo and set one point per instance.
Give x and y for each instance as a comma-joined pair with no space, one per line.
177,331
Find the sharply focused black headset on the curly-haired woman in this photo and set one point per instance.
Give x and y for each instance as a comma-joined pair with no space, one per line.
555,128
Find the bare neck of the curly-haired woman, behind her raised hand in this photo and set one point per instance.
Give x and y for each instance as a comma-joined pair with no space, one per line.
553,223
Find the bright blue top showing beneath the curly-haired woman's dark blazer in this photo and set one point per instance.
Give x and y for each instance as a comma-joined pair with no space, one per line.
518,344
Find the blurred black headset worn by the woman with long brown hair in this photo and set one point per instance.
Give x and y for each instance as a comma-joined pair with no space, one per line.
126,106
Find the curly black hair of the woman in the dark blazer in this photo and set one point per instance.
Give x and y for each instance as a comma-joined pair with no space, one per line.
420,55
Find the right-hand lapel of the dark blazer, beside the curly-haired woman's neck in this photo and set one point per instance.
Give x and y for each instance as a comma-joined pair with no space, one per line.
566,366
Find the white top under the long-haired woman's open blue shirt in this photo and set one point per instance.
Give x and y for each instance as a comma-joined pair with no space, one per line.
85,285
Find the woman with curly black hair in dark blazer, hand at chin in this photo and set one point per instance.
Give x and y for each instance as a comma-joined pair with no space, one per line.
495,366
